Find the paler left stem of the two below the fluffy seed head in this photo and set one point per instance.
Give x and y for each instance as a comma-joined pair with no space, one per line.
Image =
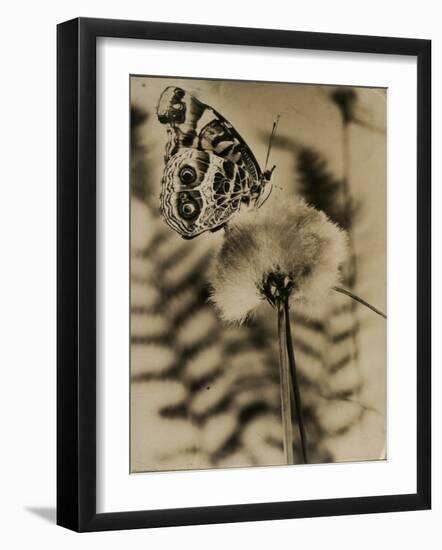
285,388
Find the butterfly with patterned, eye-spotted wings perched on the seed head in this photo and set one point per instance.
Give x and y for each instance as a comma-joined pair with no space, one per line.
210,173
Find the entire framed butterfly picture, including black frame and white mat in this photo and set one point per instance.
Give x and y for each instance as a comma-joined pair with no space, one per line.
243,274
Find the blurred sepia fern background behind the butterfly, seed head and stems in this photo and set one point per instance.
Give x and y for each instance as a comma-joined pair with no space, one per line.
204,394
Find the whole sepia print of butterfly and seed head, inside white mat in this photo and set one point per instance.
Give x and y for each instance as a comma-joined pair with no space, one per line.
258,274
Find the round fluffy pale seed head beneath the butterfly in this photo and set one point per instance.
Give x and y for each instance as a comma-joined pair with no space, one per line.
294,244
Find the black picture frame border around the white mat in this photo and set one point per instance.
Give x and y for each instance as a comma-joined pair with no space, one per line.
76,274
